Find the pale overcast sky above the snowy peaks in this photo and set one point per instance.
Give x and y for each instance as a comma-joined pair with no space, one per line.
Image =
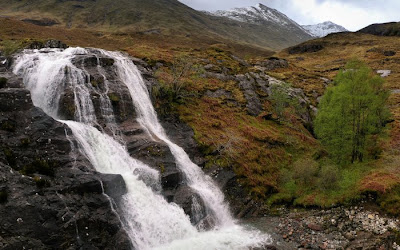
352,14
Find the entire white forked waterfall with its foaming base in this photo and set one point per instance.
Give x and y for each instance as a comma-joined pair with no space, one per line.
150,220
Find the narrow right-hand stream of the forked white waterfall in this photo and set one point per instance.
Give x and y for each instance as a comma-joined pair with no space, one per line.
201,183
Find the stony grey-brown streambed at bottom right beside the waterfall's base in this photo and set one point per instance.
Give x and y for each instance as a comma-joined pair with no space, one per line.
356,227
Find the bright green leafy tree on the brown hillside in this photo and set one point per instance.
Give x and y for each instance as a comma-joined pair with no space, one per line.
352,113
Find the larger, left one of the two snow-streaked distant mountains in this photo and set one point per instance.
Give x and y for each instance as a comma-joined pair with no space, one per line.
265,16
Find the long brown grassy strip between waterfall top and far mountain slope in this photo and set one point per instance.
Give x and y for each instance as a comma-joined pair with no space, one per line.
16,34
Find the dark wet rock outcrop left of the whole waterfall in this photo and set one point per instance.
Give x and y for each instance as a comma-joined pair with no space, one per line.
50,196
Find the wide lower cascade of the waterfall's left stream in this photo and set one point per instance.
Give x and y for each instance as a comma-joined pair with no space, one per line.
152,221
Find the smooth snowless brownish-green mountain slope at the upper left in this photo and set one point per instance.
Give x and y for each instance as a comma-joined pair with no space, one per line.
155,17
